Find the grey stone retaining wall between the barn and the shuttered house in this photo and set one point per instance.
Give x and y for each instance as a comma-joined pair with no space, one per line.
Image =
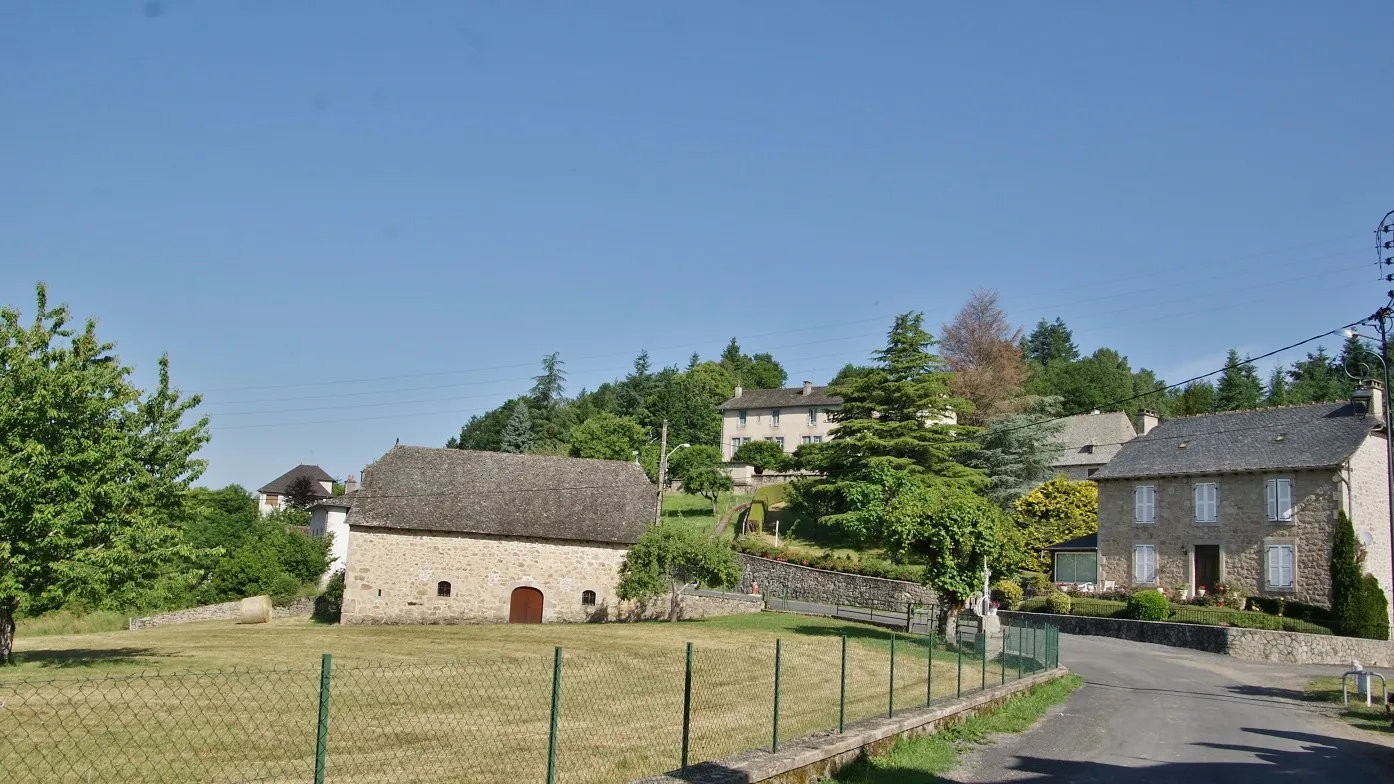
822,587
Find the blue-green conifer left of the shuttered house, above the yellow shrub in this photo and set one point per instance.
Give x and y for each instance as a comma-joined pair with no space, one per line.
1017,453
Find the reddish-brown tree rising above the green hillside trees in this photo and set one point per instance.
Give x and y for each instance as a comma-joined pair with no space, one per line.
985,354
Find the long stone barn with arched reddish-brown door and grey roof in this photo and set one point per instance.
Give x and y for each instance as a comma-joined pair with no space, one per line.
448,536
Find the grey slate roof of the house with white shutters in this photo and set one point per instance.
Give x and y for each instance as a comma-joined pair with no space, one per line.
1299,437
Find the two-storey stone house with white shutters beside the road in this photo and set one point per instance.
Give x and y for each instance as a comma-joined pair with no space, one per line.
1248,500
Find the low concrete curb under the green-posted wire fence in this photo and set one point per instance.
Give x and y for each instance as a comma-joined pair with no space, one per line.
823,754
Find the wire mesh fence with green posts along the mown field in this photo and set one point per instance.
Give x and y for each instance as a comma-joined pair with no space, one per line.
582,719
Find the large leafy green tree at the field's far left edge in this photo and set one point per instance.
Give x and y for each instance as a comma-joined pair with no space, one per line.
94,474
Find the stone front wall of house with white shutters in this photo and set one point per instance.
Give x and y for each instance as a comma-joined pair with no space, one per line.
1241,531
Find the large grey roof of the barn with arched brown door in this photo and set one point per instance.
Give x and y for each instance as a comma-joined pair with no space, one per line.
501,495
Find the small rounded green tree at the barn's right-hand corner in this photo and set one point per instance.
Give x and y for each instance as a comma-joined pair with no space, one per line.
668,557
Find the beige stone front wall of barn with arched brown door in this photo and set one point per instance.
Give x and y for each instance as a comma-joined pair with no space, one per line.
394,577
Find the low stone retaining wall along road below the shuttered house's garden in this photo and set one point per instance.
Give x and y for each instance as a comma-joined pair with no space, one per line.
1251,645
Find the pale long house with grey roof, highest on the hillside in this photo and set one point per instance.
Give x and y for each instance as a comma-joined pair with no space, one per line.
788,418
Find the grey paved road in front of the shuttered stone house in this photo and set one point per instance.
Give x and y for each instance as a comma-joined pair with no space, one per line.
1152,715
